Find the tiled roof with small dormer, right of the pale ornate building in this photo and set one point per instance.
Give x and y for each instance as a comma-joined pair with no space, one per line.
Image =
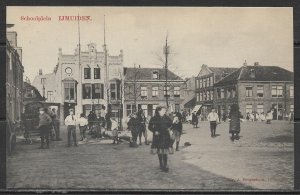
146,74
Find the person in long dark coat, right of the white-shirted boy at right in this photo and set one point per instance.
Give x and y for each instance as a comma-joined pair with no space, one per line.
235,122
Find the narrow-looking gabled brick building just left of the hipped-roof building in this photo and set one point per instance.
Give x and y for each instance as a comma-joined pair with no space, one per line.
204,86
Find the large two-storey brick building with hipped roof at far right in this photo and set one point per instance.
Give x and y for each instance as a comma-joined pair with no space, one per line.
256,88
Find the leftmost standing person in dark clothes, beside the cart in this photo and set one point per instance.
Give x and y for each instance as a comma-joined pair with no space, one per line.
45,122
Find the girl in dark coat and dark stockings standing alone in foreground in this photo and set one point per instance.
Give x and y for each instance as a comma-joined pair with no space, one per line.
159,124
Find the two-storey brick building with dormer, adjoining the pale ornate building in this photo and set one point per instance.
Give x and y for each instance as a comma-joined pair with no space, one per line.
144,88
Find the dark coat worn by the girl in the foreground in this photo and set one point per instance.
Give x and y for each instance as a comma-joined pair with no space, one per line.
161,125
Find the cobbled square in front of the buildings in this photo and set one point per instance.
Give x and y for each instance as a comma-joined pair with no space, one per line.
261,159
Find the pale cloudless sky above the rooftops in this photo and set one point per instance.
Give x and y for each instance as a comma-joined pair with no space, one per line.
216,36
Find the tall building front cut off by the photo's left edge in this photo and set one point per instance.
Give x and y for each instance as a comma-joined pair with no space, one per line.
14,78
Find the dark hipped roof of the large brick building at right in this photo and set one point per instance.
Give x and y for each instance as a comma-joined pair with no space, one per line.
260,73
